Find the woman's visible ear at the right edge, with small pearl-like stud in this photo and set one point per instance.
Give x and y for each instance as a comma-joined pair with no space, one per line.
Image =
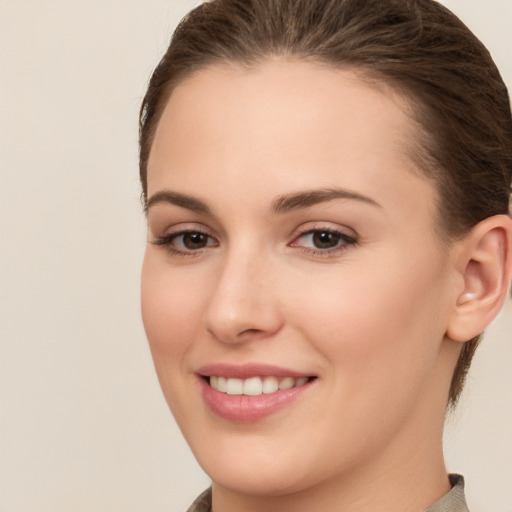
485,265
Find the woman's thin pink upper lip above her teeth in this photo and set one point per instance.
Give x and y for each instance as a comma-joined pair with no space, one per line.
245,371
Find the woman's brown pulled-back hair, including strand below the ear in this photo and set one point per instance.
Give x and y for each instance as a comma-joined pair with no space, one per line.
418,47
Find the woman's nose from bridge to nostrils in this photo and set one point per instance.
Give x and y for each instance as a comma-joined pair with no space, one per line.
243,305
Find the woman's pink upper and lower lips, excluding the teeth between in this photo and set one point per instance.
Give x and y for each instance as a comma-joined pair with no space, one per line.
243,408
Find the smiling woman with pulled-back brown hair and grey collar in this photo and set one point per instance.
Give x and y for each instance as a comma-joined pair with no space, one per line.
327,191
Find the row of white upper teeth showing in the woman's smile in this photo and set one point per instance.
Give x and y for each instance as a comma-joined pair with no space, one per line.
254,386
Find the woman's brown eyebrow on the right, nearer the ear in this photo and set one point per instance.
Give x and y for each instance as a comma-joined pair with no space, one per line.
309,198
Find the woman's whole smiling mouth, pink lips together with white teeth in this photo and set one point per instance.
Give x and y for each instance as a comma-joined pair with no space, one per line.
250,393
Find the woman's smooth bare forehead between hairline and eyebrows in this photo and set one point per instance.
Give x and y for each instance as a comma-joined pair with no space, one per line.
283,120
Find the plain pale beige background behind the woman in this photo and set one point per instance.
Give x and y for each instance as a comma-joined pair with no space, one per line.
83,426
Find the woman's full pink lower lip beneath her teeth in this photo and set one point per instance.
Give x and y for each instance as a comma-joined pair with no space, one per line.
245,408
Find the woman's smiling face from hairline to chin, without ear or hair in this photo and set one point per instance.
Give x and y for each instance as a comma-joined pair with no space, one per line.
292,242
